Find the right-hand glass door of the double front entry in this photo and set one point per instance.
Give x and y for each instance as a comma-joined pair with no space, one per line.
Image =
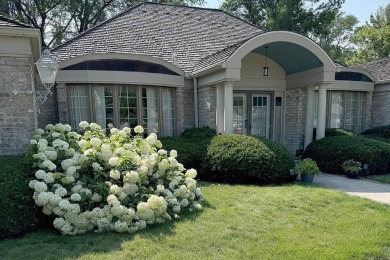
260,115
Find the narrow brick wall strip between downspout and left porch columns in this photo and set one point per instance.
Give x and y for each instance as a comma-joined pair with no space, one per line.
207,99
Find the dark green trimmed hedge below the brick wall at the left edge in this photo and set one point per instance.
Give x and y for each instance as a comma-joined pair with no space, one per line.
17,213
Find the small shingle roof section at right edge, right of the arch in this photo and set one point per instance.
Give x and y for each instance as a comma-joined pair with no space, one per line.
380,69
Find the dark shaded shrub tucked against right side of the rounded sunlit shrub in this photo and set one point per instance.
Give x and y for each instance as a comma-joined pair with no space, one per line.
283,163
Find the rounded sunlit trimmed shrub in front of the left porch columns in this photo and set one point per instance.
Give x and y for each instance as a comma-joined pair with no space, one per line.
239,159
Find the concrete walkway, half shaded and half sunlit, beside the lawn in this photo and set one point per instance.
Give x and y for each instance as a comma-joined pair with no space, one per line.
357,187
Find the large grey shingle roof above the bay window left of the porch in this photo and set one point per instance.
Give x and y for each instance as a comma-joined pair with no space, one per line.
180,35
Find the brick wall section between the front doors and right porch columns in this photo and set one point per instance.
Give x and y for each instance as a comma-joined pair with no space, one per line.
295,118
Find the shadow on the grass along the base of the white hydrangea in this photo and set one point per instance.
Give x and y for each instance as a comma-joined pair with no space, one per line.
51,245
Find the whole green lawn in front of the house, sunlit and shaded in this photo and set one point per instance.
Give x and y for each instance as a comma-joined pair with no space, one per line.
238,222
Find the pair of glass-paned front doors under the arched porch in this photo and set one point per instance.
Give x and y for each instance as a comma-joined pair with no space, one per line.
251,114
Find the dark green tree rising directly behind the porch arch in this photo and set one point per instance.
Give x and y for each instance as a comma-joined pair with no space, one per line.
307,17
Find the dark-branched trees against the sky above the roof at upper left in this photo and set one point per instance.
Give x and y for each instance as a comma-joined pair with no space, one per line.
60,20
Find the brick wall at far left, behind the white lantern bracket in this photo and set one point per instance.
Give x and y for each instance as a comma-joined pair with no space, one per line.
17,125
